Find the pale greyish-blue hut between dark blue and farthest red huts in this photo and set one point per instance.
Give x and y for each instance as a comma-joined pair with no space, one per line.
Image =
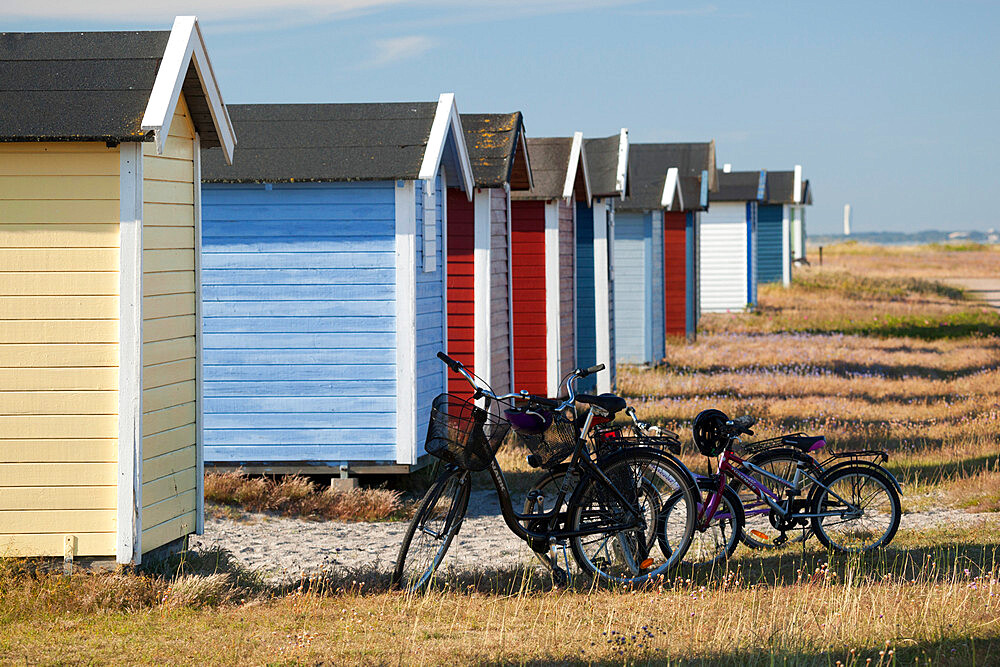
639,258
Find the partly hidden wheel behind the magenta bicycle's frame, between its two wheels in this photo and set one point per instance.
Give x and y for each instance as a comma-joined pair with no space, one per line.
758,531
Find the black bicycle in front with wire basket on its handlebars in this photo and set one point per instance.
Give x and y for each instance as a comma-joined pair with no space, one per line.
613,504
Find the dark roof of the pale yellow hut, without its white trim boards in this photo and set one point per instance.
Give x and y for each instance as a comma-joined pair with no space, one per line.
86,86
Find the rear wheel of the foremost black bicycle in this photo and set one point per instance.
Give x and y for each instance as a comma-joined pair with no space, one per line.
646,478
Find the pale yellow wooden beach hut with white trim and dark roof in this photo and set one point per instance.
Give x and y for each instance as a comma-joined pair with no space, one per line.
100,447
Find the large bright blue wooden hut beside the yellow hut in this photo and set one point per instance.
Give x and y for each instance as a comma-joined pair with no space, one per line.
324,283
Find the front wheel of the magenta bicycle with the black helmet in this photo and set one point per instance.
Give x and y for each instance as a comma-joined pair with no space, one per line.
716,541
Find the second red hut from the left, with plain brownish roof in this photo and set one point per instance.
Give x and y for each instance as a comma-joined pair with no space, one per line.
543,263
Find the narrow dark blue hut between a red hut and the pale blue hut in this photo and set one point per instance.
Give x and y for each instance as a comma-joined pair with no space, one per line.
607,167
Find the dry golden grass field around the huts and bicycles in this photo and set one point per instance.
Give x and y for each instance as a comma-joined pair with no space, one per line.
871,349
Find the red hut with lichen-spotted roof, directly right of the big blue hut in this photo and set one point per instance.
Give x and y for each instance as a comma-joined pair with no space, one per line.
479,301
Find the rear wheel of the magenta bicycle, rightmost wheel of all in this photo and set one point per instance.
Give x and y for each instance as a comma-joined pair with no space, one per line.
867,507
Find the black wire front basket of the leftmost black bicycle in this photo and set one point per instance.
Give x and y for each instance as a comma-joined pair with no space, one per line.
464,434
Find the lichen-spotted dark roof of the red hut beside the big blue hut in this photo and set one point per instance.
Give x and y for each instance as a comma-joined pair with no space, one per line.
495,151
